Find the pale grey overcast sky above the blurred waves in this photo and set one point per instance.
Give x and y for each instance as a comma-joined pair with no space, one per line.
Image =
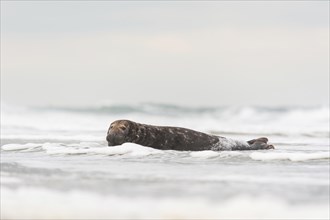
181,52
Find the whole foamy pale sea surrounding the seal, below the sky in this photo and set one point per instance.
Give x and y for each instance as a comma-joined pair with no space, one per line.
55,164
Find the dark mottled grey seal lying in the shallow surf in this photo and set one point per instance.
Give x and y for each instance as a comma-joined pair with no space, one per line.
175,138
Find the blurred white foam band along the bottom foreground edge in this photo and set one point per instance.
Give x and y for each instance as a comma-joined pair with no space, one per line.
35,203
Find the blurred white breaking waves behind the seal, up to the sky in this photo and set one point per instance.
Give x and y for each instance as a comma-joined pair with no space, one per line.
92,122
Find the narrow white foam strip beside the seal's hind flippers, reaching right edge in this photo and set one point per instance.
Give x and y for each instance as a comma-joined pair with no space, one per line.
289,156
